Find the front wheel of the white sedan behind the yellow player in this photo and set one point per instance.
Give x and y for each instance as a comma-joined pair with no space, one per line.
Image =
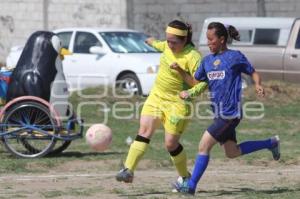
129,83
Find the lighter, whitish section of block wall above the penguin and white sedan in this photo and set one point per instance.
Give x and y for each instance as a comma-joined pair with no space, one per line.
19,18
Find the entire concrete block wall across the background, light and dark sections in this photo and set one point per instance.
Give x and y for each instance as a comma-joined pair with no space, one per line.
19,18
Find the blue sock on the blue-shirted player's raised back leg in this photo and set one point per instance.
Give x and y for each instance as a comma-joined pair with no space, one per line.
251,146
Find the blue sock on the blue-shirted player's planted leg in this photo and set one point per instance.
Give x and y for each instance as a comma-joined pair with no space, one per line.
201,163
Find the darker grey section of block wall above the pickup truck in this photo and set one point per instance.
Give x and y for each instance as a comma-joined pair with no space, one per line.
152,16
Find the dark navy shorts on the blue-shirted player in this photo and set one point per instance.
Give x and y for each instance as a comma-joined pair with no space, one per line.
223,129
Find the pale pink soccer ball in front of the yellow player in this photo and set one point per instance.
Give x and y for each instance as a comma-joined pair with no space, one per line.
99,137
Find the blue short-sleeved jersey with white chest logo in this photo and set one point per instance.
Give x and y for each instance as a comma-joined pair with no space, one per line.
223,74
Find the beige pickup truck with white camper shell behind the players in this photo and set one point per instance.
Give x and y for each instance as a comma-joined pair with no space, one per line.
271,44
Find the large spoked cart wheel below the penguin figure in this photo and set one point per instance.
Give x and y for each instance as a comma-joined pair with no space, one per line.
28,121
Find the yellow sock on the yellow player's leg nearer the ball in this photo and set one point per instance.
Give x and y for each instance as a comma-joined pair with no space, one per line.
136,151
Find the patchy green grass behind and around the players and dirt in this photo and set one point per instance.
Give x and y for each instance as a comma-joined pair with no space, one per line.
282,117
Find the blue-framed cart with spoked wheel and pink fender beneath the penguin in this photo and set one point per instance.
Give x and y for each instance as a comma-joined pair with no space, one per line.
31,128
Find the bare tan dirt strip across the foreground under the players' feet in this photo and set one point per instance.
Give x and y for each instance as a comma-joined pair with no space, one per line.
95,179
